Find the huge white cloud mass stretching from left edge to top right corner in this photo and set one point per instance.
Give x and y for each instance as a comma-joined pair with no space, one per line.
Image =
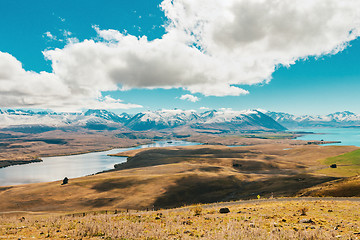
210,47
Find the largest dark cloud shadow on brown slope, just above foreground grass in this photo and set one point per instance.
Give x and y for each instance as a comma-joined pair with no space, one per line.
195,189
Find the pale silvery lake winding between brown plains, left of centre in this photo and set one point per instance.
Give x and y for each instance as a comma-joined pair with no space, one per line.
56,168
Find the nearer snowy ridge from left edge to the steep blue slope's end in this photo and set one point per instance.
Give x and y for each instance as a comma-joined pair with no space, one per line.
148,120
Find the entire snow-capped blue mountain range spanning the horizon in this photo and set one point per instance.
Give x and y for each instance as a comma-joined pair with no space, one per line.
225,119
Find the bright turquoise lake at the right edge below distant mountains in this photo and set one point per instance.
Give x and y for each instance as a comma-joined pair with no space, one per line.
347,136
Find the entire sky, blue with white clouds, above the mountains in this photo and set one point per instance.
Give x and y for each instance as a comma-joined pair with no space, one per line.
295,56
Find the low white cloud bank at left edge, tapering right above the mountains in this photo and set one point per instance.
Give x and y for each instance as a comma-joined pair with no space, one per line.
20,88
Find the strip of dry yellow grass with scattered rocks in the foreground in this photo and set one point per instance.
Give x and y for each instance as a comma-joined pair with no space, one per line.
259,220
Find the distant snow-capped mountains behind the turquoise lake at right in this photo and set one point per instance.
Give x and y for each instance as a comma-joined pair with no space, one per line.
338,119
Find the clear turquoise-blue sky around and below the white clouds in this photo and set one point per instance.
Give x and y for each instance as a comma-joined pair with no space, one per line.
314,85
